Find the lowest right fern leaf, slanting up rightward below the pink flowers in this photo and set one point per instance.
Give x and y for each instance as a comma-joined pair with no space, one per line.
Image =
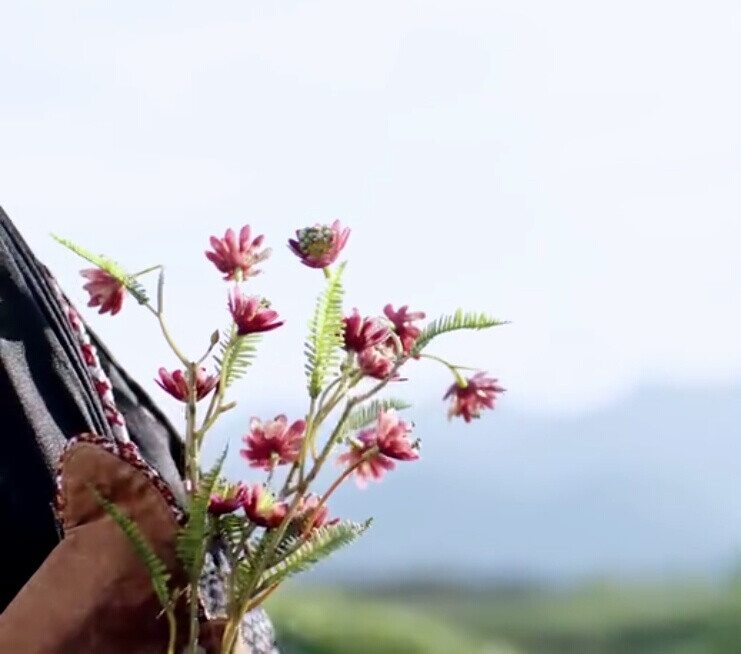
322,542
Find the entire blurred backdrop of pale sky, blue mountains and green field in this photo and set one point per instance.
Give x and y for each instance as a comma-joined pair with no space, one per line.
573,167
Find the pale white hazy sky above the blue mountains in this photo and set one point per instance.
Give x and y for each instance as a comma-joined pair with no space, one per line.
571,166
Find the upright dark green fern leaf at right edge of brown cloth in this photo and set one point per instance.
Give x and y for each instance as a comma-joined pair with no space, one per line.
193,538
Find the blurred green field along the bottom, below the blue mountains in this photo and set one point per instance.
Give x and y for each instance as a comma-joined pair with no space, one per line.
665,619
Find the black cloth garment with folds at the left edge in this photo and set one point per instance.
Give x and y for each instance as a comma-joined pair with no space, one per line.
46,397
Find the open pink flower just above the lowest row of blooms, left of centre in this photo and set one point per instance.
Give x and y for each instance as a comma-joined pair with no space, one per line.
273,442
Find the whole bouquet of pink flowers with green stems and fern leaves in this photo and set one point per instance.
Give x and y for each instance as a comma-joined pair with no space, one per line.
278,525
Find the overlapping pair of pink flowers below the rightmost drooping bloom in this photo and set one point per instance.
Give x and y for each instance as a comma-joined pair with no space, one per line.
376,448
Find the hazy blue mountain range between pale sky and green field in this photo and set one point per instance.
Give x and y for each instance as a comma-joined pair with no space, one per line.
649,485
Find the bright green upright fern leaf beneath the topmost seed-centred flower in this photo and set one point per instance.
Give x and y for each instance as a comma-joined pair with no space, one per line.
325,334
